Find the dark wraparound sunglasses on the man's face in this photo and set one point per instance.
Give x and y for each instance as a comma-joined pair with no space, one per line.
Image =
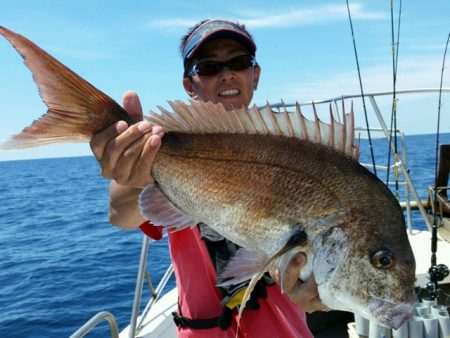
209,68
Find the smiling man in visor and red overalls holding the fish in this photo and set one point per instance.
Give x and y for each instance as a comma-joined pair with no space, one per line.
219,66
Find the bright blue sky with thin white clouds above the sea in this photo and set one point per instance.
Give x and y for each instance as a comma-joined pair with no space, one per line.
305,50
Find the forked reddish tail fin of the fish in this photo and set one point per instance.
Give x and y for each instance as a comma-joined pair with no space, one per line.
76,109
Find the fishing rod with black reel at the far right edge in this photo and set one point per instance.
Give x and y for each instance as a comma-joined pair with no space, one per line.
437,272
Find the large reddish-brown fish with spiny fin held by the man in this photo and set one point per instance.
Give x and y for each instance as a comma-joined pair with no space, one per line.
274,183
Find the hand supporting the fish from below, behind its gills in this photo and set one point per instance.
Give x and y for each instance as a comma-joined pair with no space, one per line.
304,294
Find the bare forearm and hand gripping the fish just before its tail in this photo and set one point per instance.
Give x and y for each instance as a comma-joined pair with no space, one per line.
126,155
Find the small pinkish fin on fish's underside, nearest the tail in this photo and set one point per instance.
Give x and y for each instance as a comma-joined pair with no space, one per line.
157,208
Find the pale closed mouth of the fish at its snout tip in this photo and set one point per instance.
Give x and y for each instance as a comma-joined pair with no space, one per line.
389,314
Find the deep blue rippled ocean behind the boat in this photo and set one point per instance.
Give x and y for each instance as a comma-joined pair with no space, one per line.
62,261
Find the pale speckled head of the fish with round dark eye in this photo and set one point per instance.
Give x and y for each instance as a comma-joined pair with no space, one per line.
371,275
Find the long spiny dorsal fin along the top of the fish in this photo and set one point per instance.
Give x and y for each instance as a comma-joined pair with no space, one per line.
205,117
